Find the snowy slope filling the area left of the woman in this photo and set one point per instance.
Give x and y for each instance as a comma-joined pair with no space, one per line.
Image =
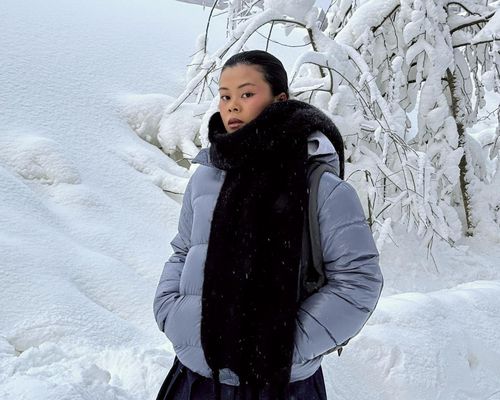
85,225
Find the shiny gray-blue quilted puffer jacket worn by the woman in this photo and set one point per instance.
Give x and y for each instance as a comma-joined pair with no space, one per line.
326,319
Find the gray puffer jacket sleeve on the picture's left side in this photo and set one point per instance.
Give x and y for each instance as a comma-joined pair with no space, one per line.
168,288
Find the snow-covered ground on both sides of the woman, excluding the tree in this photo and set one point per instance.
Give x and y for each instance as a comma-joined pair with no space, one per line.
86,220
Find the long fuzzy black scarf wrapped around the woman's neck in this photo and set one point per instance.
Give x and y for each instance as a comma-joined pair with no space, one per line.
249,299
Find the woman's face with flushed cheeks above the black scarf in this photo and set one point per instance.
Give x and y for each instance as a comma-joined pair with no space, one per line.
244,93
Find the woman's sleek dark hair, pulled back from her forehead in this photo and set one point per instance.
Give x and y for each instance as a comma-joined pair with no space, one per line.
272,68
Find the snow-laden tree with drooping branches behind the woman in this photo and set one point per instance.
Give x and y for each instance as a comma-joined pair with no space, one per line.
404,80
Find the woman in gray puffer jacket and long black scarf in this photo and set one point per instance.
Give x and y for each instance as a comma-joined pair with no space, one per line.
227,298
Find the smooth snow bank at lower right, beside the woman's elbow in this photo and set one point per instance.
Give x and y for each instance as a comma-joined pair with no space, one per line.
439,345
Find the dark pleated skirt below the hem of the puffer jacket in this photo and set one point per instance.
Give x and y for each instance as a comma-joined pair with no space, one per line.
183,384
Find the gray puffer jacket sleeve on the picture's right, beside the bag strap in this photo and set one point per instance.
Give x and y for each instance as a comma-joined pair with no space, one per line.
339,309
